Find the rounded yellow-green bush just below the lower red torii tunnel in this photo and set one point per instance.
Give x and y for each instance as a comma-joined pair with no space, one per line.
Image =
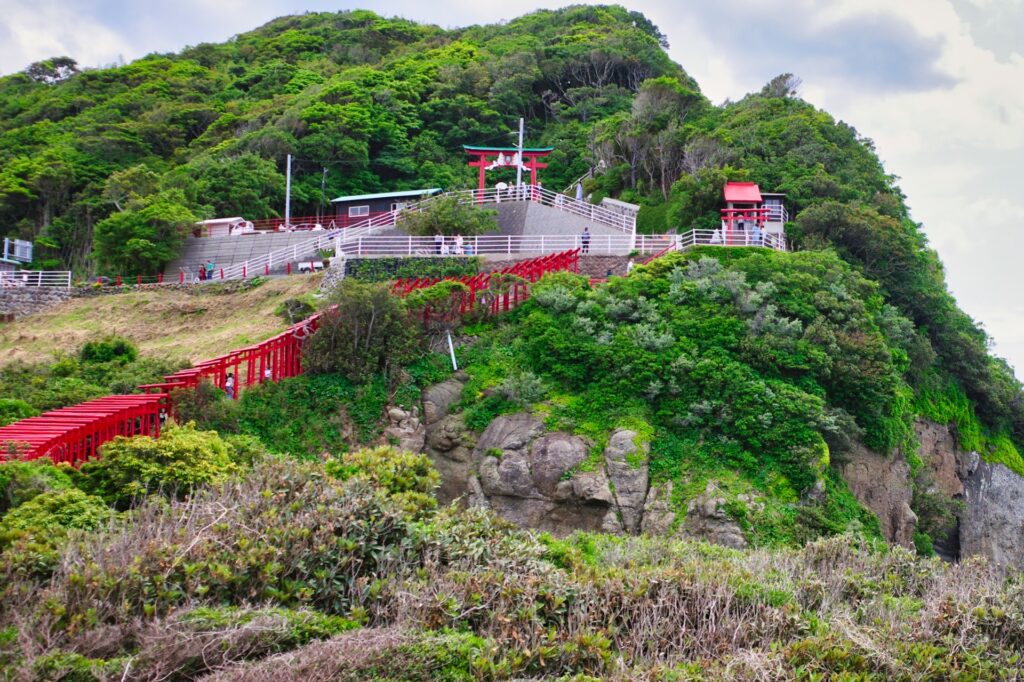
175,464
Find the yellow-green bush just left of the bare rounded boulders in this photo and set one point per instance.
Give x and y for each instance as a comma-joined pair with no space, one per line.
409,478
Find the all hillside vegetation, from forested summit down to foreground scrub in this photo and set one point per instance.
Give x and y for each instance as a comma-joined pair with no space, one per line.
287,536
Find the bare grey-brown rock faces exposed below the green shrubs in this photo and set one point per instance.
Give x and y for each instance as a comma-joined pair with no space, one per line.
547,481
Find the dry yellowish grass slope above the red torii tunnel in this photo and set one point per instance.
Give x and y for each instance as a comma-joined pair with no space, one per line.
162,323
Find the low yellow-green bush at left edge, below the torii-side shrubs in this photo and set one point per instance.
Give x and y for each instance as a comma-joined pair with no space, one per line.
47,518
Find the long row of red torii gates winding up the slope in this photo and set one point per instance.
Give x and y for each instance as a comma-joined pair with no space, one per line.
75,435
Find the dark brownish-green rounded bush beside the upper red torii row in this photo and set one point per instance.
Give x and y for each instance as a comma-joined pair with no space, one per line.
364,332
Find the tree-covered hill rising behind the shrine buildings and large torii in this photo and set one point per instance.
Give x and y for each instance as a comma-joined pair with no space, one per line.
105,168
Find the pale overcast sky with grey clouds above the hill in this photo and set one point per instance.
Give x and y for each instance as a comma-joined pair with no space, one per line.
937,84
